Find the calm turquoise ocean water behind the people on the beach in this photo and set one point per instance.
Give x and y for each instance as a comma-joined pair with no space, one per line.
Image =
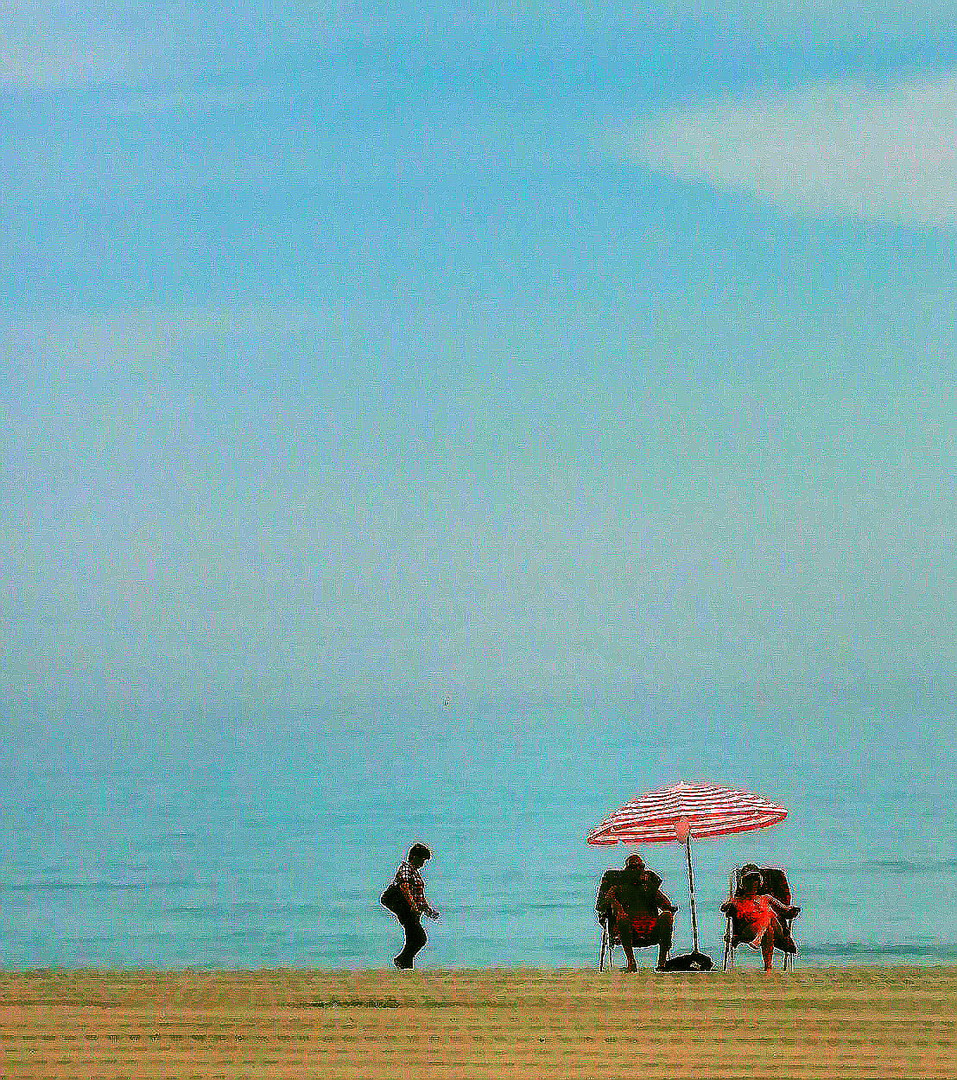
262,849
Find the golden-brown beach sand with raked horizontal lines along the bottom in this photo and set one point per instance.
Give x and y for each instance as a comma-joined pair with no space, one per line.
378,1025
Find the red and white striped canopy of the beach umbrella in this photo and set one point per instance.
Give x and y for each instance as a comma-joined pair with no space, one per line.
686,811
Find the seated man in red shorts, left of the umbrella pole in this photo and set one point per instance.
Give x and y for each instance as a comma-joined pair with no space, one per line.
640,913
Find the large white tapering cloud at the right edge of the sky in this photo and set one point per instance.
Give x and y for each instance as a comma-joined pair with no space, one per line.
884,154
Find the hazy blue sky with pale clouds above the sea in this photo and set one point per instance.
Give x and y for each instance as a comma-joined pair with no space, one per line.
373,358
